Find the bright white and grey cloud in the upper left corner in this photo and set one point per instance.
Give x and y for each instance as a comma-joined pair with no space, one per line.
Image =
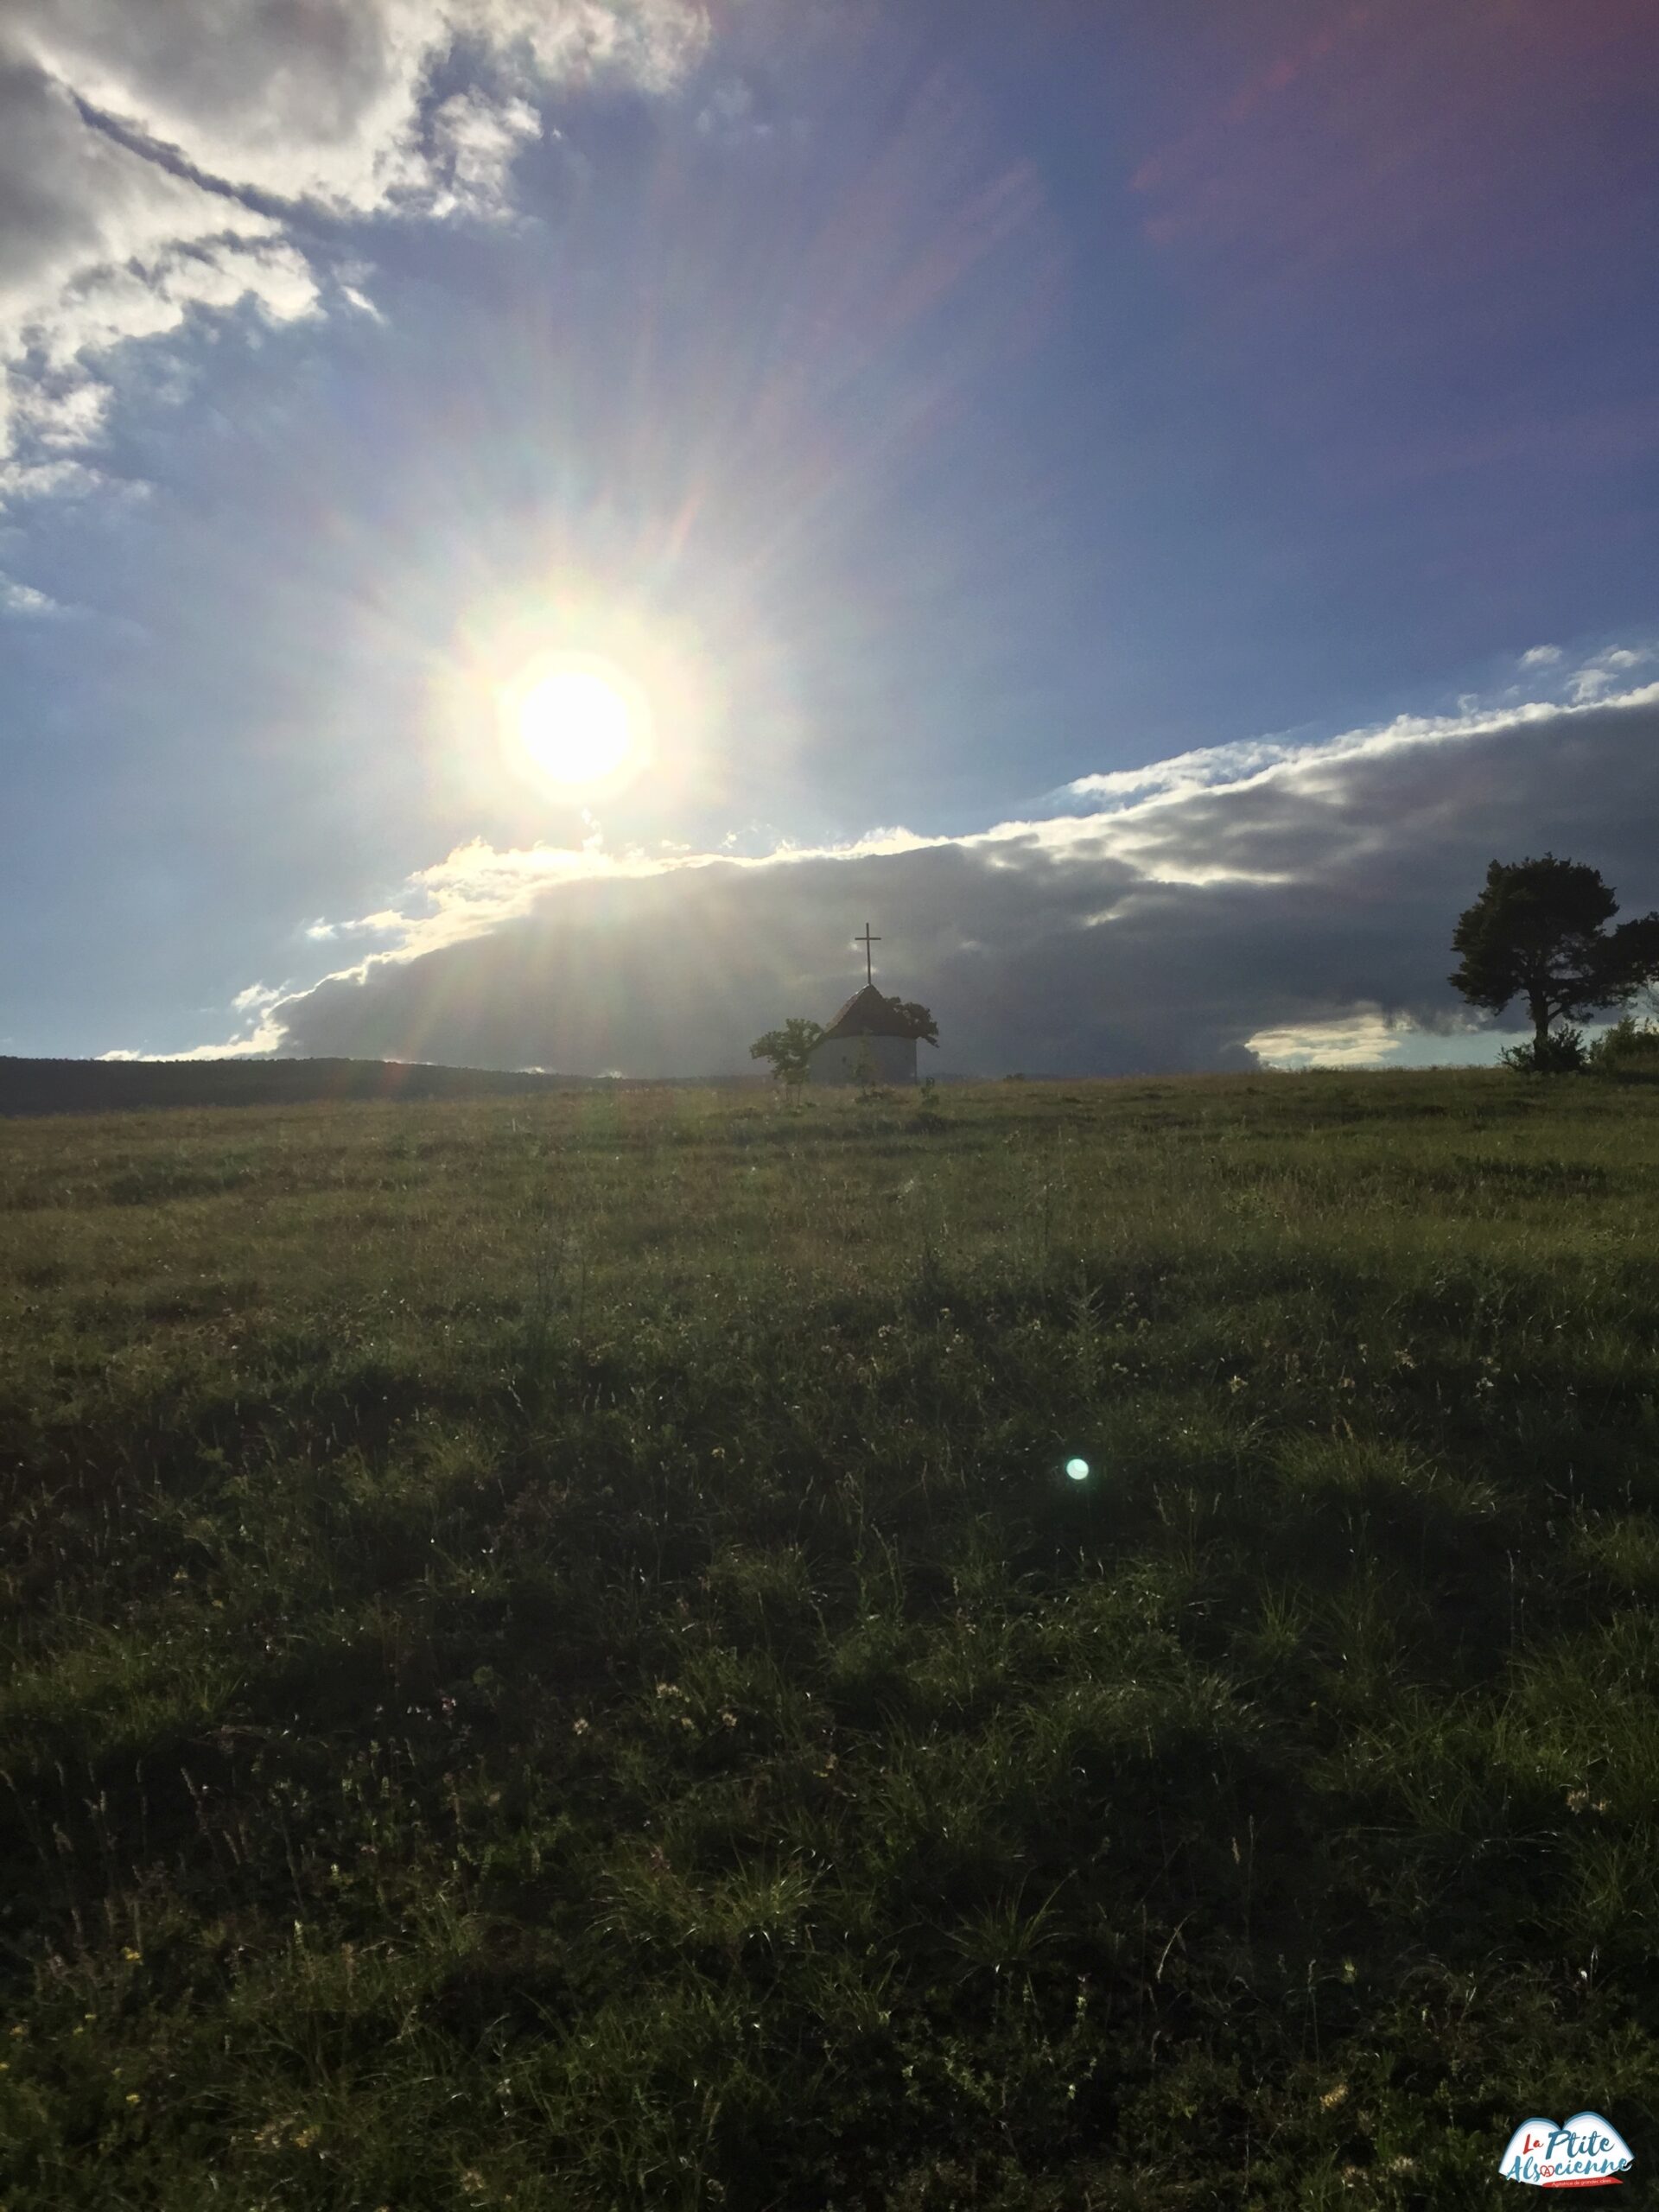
154,160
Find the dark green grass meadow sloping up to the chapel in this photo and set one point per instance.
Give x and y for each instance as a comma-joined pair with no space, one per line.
552,1658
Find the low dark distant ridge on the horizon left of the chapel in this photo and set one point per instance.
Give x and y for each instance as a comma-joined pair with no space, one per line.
109,1085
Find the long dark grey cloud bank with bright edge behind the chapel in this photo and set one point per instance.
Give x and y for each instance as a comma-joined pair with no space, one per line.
1231,910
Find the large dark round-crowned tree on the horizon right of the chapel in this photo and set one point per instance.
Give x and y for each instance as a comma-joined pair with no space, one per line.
1538,935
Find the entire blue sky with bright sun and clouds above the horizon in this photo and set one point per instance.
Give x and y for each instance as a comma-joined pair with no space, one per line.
525,525
